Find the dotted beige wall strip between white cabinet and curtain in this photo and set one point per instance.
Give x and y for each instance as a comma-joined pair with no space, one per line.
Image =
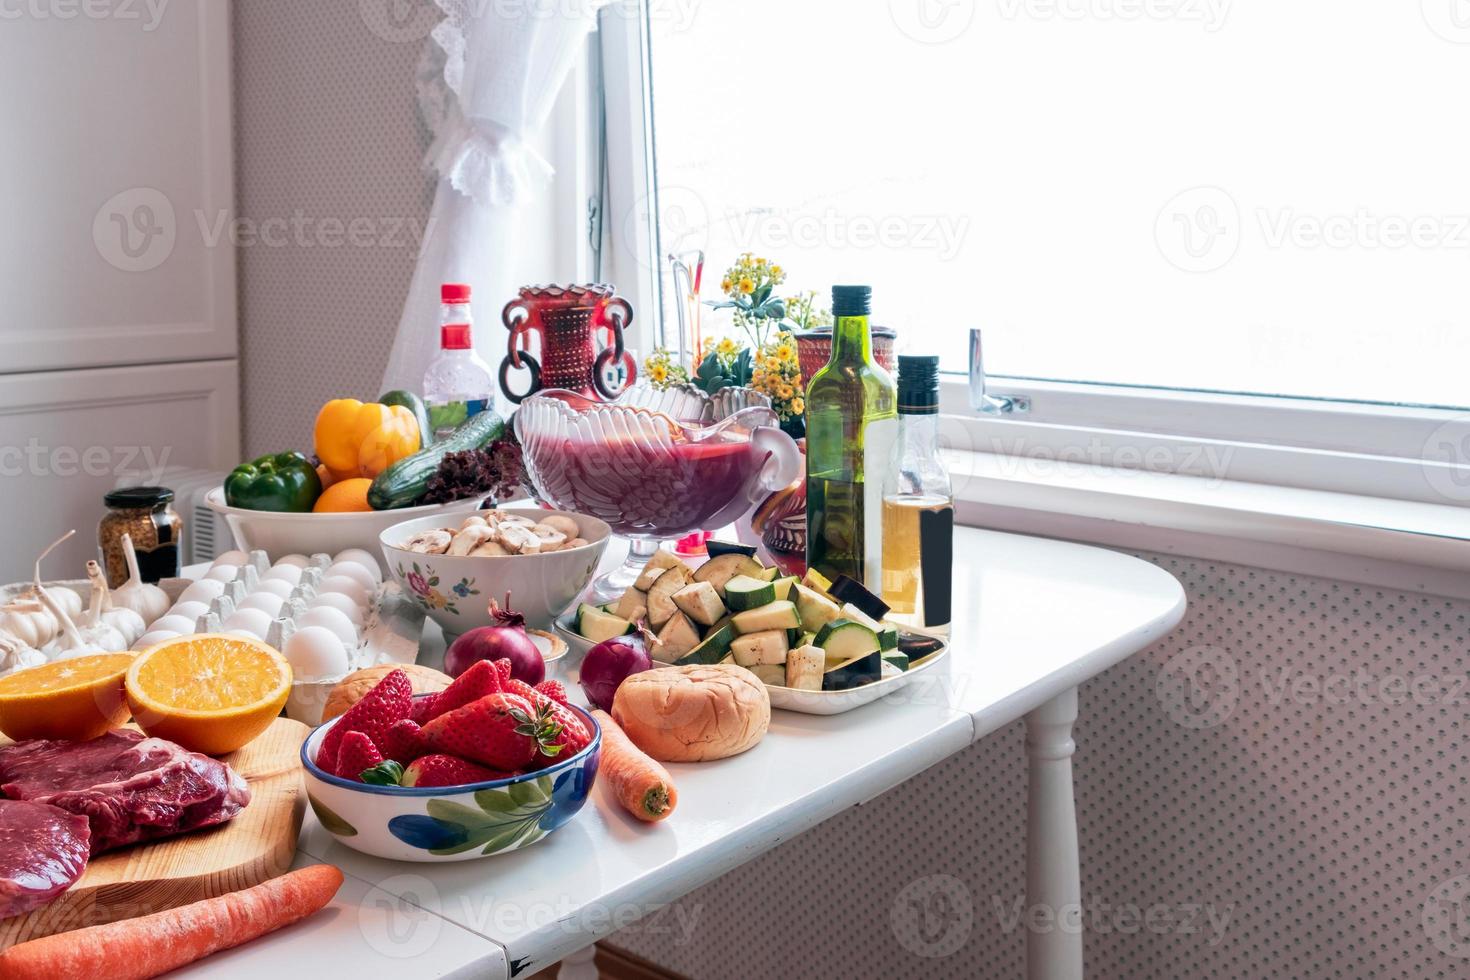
331,201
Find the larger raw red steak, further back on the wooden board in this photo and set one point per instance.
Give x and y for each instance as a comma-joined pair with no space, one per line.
130,788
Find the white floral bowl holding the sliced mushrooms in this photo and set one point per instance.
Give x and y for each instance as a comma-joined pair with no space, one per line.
456,591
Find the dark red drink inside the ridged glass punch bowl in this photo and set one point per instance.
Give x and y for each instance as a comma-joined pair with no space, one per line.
648,490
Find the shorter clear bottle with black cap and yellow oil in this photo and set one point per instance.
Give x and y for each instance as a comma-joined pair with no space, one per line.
918,506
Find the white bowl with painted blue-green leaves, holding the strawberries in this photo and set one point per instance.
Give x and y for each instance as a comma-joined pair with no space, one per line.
451,824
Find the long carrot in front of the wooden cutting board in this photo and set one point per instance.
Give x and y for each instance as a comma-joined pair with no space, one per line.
152,945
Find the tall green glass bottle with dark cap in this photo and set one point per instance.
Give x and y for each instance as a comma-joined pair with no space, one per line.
852,425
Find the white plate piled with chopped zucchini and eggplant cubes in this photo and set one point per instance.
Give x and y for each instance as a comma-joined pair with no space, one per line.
820,647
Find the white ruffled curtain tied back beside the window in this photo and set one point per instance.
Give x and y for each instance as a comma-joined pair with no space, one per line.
487,87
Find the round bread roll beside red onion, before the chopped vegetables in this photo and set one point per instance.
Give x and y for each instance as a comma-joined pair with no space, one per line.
692,715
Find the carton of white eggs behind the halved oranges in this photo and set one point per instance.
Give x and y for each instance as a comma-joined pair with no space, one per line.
323,638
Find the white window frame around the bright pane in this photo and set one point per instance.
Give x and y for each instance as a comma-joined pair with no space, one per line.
1406,453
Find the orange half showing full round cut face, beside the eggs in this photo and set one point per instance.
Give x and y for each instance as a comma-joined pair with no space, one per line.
208,693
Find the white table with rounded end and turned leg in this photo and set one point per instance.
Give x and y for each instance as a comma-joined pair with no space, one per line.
1033,619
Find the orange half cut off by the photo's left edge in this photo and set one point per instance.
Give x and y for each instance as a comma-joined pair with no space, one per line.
77,699
